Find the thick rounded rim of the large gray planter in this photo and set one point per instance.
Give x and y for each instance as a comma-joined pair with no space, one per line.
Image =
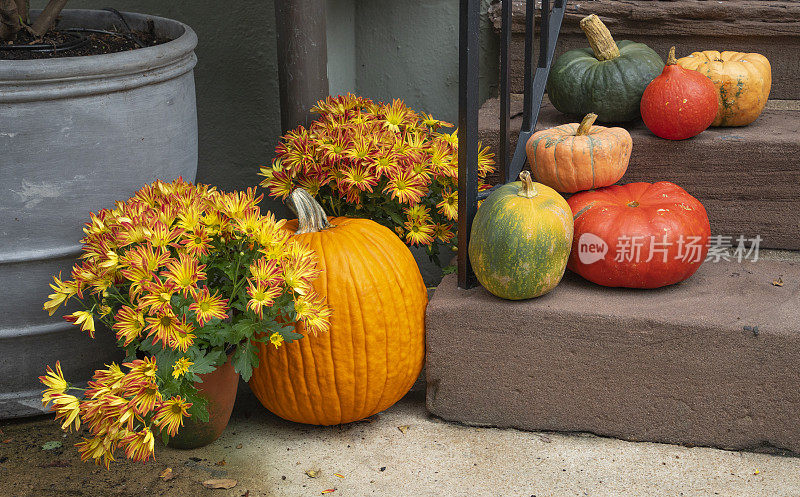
66,77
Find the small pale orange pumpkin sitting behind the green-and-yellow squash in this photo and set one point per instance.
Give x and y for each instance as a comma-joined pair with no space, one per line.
575,157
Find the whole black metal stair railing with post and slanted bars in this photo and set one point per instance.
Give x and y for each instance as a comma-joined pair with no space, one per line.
468,103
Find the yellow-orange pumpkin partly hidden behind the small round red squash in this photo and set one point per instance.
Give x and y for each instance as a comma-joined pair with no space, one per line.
743,81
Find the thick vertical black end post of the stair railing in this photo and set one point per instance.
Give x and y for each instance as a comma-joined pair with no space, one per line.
469,17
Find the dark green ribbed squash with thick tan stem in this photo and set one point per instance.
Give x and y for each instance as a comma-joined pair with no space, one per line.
607,79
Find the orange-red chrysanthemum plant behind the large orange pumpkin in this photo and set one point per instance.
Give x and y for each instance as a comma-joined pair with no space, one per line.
379,161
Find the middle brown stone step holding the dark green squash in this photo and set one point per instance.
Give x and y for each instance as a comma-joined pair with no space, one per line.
746,177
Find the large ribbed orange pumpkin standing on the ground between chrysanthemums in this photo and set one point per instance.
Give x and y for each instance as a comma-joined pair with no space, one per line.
375,349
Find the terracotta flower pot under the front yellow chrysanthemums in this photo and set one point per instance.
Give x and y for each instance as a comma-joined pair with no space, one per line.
219,387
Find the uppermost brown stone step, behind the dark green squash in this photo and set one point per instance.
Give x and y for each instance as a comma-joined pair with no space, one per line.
769,28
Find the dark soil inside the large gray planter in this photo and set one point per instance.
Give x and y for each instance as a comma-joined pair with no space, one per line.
95,44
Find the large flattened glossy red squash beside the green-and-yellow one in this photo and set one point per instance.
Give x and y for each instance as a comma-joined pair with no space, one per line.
638,235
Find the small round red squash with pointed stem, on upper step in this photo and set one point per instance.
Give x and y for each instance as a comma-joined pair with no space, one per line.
679,103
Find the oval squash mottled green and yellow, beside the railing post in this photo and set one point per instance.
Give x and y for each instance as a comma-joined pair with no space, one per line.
521,239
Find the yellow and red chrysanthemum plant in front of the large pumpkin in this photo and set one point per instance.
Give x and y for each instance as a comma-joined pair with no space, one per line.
186,277
